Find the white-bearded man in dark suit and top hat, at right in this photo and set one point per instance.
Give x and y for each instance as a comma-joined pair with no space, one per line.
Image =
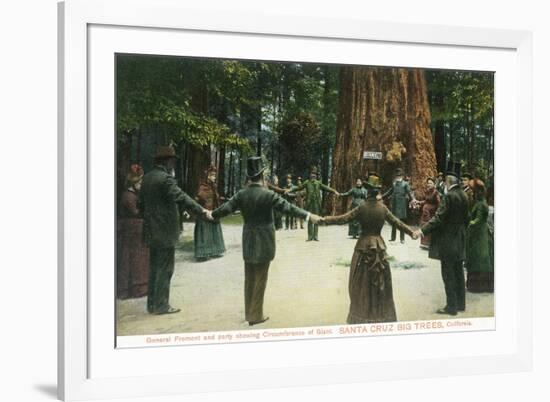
448,242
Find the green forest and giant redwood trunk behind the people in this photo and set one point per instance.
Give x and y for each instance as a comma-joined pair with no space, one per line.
298,115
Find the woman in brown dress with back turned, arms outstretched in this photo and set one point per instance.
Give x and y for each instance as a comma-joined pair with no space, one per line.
370,281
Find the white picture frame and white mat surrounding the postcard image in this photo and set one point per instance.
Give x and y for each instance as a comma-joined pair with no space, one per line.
83,27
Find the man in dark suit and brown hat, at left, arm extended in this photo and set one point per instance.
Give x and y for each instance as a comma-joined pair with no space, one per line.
161,199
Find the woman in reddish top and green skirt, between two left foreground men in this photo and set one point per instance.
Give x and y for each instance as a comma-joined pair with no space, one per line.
208,234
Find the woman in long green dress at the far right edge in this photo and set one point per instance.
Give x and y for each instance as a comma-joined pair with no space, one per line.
480,268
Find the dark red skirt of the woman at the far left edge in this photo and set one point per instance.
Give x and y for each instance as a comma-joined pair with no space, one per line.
132,259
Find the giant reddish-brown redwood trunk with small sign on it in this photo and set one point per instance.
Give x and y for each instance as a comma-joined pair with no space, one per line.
384,110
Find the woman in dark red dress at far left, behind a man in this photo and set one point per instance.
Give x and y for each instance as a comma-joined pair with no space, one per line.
133,253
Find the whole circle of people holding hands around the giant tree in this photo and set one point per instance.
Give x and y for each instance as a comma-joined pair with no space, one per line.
454,226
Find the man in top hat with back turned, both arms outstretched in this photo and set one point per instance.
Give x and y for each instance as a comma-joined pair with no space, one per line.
257,205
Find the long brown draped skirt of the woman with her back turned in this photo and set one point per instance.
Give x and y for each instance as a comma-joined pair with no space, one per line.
370,288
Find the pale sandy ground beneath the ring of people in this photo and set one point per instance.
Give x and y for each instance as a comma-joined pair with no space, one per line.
307,286
